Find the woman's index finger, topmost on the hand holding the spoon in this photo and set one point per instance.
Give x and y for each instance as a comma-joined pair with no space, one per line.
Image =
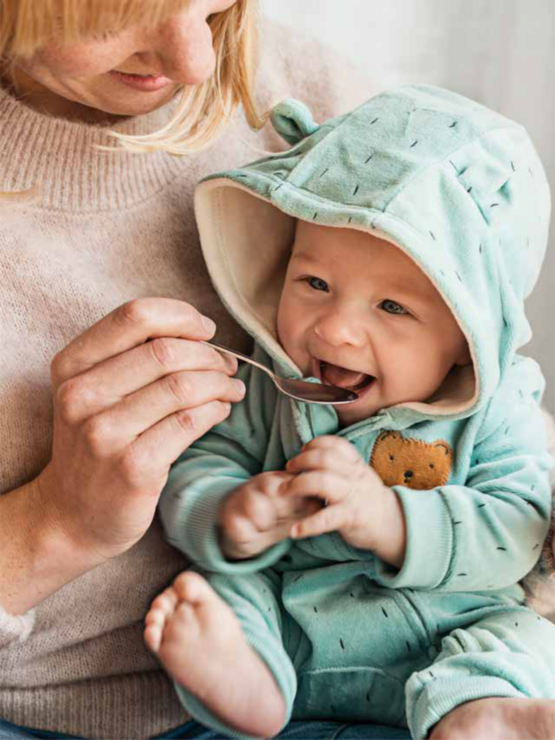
126,327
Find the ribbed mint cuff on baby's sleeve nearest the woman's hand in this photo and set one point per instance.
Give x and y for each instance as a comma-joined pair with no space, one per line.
198,535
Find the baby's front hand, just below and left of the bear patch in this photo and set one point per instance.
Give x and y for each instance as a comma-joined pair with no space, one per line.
357,504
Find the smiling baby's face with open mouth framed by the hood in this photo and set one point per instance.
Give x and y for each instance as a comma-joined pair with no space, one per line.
356,312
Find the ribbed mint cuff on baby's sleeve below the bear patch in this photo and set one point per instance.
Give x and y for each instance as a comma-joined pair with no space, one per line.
429,542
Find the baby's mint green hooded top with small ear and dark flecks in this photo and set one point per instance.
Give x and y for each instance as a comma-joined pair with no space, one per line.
460,190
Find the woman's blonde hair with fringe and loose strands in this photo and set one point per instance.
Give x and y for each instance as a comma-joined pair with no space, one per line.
204,109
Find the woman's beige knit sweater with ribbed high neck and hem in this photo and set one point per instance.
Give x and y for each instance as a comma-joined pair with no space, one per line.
107,228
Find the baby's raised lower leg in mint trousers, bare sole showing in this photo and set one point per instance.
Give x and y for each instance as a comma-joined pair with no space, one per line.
215,658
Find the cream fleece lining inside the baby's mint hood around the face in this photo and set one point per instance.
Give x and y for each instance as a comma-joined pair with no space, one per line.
246,243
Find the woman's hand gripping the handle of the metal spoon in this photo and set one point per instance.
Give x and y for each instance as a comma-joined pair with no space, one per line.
130,394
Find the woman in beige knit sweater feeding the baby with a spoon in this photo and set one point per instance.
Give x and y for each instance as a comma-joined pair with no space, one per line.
87,238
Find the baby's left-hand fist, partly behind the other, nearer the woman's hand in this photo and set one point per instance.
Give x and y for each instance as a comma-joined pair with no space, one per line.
254,516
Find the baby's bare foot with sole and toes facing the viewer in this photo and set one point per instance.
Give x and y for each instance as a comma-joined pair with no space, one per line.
199,641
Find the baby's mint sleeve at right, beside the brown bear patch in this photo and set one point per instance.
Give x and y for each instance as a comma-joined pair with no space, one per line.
489,533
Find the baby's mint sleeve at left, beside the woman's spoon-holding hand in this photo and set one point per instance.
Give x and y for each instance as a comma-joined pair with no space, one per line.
225,458
